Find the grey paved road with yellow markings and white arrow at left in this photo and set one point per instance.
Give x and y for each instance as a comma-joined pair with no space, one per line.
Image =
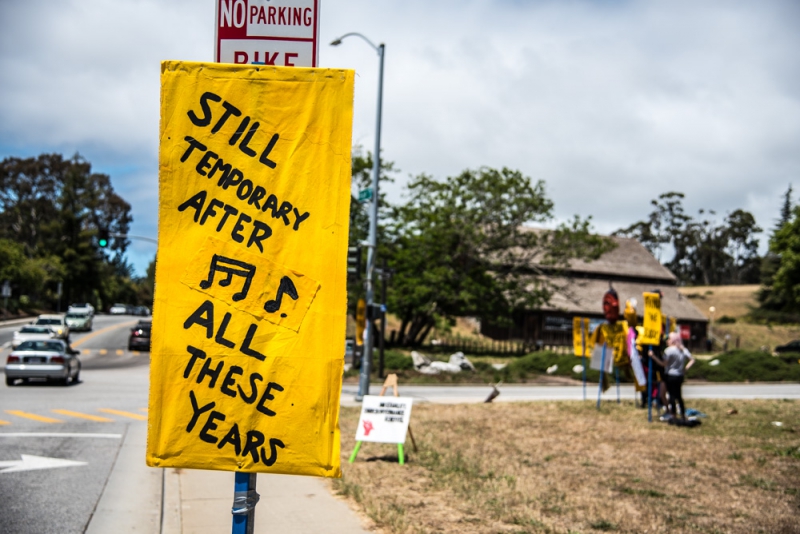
85,423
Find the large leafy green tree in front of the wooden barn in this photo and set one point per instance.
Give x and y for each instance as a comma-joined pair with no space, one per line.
460,247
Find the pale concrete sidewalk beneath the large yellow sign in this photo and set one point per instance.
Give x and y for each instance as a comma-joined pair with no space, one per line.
148,500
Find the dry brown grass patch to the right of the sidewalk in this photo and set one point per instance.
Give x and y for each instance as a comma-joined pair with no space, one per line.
565,467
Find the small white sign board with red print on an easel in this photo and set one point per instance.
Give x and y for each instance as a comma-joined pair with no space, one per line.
384,419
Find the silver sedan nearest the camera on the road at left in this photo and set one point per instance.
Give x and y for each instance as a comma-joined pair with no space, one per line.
43,360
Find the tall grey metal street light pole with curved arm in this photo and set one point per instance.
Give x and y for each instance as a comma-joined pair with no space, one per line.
366,357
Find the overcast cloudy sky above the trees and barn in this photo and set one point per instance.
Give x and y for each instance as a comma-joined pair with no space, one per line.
609,102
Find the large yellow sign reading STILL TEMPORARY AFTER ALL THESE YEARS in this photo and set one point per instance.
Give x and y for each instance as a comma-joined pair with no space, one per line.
250,303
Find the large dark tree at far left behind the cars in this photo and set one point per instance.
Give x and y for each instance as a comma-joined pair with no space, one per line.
53,207
